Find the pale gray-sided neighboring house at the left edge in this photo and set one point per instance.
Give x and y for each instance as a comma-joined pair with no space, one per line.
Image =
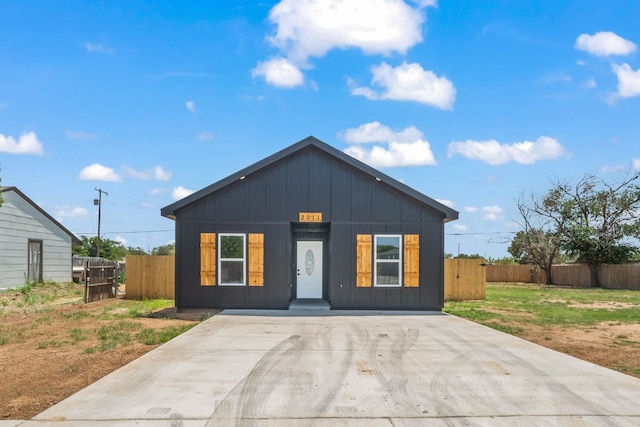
33,245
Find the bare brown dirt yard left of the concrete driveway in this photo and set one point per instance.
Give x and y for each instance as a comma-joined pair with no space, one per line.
48,352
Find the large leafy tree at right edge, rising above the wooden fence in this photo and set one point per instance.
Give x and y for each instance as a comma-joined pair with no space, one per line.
594,221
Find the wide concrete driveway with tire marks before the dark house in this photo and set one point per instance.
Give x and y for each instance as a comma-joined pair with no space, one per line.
243,368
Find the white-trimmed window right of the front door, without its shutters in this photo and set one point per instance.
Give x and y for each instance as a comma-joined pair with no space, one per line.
388,260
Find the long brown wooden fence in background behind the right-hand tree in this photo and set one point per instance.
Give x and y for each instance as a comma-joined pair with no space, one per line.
625,276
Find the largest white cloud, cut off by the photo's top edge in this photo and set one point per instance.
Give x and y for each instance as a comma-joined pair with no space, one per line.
311,28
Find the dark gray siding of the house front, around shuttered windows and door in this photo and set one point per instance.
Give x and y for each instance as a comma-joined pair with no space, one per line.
268,197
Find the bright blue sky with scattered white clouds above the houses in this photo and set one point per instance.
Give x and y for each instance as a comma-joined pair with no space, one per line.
470,102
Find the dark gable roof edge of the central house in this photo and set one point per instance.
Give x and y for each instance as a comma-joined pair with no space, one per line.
310,141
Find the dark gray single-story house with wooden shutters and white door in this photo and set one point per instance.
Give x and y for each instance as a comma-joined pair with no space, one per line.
309,222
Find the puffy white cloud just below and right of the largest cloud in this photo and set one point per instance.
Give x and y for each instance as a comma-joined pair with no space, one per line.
409,82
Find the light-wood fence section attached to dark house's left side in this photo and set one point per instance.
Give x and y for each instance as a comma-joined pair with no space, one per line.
150,277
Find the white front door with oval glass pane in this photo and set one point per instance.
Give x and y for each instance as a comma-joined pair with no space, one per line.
309,269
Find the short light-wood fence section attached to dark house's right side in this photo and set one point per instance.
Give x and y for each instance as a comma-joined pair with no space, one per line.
464,279
